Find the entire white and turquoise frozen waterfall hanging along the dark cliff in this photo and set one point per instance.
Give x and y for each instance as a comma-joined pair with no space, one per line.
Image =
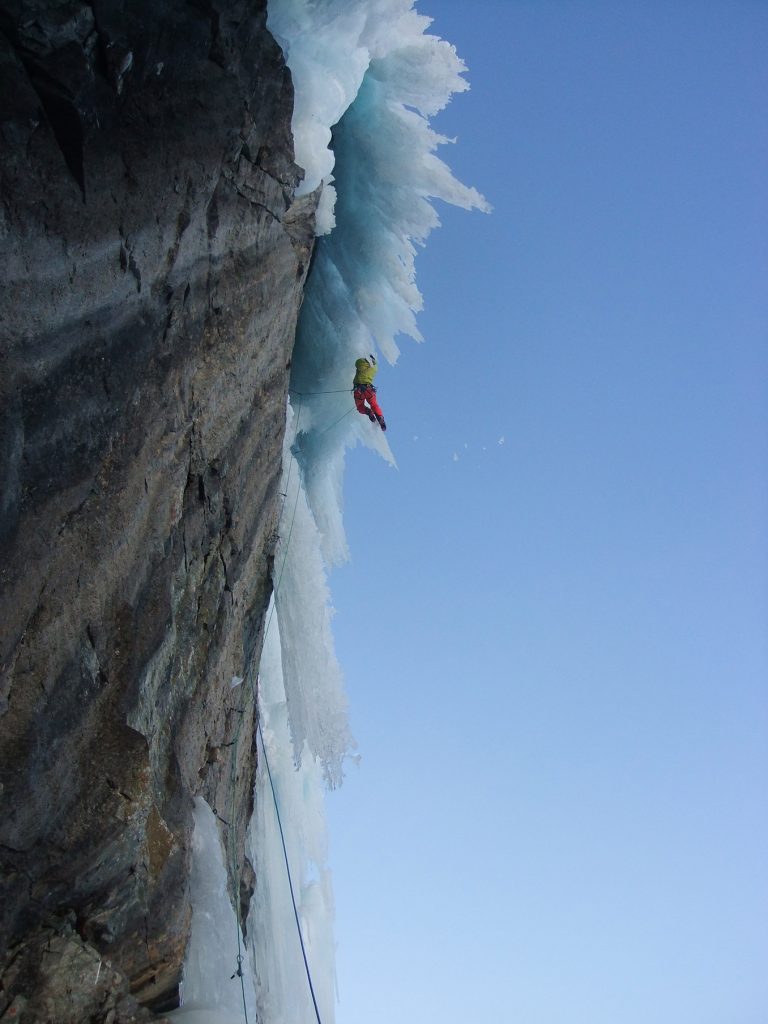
368,76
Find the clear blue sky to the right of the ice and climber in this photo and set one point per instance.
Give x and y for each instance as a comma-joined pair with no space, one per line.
553,628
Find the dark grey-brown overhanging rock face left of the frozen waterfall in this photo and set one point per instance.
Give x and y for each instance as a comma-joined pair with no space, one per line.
153,264
